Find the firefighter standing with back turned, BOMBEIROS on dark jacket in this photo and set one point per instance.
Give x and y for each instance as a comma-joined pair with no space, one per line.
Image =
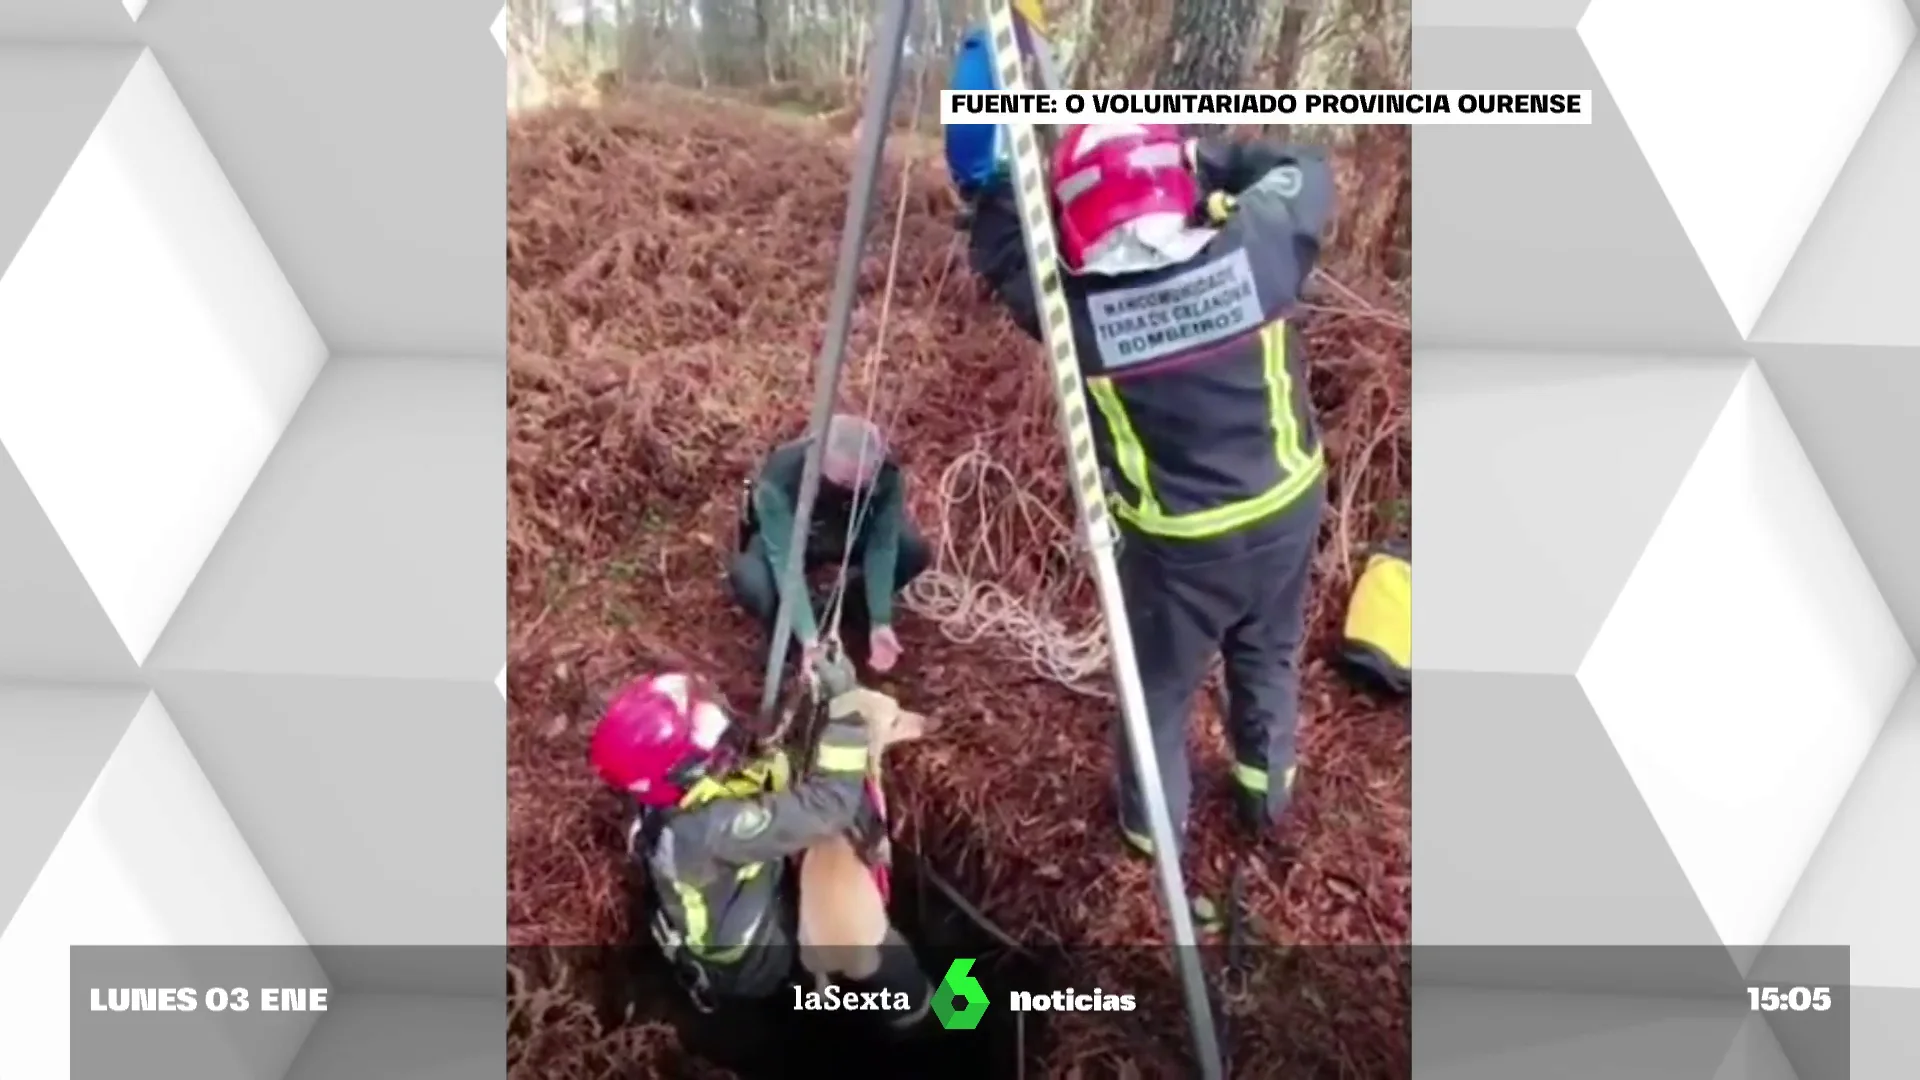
1184,262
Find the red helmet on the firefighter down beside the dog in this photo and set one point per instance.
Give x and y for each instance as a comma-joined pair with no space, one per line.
658,739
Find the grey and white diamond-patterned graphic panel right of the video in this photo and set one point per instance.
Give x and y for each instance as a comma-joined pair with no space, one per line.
1666,405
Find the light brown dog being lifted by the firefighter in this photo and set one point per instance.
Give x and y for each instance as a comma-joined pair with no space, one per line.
844,918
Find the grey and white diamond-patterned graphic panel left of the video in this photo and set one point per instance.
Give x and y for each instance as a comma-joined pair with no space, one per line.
252,424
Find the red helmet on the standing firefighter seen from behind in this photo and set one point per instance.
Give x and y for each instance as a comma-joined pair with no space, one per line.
1109,176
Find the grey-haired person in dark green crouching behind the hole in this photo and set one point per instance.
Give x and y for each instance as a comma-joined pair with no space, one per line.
882,556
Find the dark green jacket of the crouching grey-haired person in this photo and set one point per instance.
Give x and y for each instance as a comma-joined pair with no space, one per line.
876,549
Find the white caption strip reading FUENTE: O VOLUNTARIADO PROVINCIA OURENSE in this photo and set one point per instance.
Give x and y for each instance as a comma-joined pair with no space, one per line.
1270,107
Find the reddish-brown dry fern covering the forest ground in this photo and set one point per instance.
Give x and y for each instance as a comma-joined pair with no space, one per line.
669,276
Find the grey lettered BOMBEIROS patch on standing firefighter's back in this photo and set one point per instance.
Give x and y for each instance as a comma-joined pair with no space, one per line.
1207,305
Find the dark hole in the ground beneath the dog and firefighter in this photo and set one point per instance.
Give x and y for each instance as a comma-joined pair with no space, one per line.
771,1039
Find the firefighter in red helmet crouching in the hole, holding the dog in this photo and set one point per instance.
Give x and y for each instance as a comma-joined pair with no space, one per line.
715,829
